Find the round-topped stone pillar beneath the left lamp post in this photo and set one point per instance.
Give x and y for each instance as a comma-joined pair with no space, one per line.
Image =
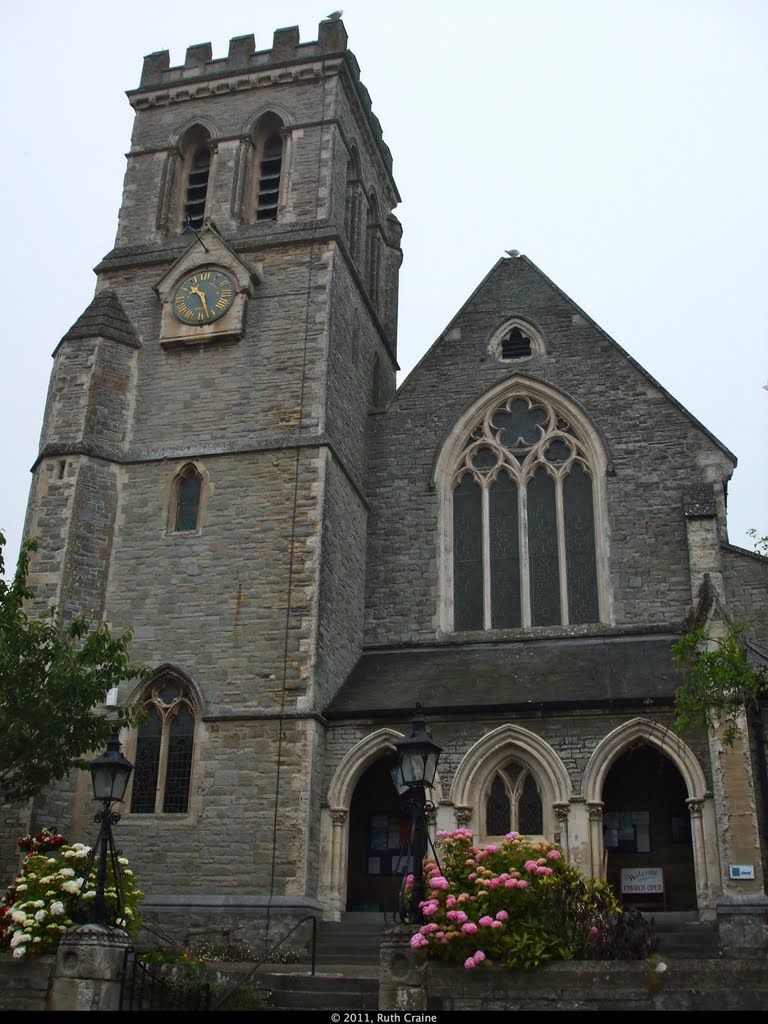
89,970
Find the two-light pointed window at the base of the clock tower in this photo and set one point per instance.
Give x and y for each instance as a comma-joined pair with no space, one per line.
163,759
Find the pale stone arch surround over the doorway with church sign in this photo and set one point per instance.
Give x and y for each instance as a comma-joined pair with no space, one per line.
643,734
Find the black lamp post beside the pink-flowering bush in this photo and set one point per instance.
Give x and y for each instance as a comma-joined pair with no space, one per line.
417,764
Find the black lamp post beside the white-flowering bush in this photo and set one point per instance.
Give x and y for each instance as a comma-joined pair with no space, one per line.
110,775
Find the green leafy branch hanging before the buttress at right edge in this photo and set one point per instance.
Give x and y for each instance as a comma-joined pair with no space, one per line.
718,681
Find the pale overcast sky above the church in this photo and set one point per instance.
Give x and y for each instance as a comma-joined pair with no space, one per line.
621,145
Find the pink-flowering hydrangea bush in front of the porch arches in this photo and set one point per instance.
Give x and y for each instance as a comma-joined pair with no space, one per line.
517,904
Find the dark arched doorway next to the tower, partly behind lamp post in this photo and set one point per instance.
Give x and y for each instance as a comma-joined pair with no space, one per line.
378,836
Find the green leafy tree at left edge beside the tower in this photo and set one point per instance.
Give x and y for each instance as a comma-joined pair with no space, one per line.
54,684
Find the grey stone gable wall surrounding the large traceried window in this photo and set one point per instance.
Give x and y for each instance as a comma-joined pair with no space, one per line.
655,451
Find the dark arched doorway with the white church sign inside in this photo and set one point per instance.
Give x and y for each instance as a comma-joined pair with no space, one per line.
647,824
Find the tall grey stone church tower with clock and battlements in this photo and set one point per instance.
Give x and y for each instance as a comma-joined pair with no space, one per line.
202,476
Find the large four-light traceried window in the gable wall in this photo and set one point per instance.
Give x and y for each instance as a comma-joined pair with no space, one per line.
523,514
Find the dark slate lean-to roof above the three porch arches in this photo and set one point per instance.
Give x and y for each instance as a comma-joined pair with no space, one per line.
585,672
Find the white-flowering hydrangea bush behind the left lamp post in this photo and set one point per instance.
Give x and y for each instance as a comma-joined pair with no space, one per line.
40,905
